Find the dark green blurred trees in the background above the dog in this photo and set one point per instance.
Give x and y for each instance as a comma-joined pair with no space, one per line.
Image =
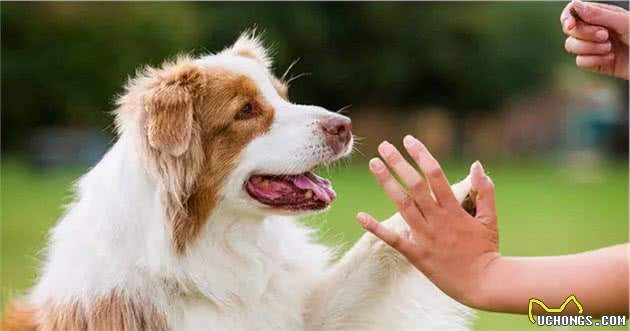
63,62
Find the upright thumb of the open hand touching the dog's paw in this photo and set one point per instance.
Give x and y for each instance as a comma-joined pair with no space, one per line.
482,184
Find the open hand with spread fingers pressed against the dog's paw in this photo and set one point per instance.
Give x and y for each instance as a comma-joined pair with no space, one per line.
452,248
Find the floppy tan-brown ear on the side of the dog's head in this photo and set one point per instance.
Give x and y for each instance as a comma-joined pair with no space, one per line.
170,106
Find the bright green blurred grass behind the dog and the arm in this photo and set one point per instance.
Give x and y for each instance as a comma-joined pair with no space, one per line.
544,209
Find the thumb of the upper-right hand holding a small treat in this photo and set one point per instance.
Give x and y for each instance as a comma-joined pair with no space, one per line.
602,16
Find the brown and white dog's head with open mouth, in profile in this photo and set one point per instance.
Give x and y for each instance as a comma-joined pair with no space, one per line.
220,129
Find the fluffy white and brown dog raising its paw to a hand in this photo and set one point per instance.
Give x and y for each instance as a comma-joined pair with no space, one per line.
189,221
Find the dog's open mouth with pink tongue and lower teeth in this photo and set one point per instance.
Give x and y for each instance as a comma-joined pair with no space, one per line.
306,191
